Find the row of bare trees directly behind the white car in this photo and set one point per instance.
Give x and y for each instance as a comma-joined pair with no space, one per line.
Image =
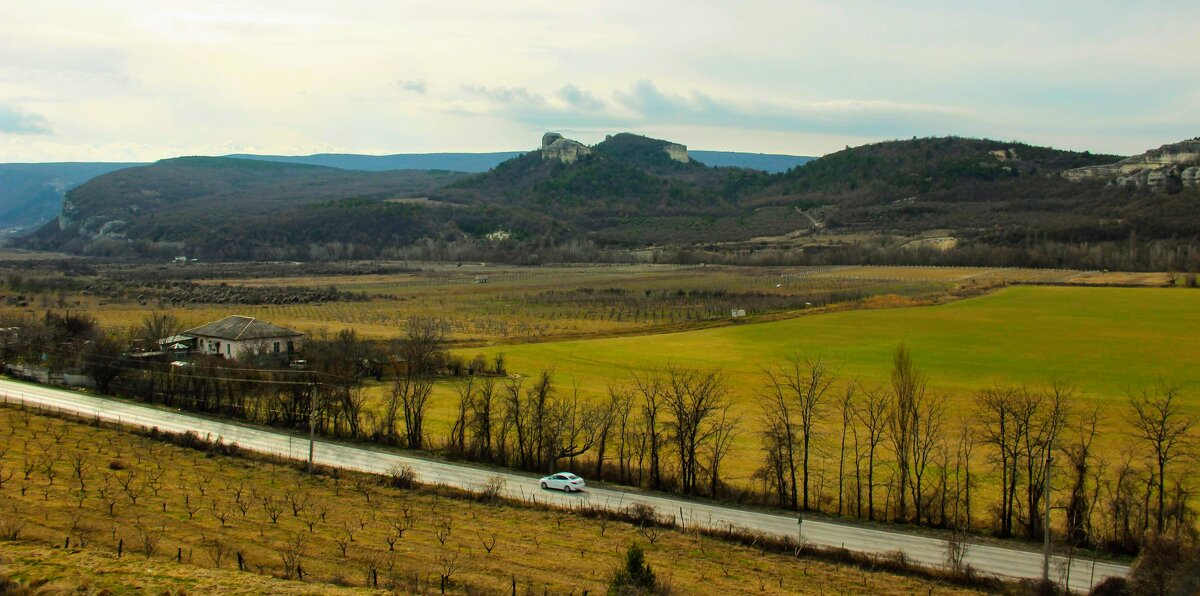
667,429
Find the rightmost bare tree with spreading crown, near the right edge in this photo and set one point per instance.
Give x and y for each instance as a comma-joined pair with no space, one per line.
1160,422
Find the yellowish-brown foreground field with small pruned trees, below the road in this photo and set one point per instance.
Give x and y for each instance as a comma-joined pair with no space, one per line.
183,517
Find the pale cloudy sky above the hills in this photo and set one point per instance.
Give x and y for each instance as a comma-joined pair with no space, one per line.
142,81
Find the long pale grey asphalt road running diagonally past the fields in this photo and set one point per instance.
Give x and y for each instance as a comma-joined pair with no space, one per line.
1012,563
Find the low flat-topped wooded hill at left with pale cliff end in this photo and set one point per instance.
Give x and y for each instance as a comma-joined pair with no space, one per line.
241,209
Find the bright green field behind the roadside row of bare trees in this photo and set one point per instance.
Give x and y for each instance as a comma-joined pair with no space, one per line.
1105,341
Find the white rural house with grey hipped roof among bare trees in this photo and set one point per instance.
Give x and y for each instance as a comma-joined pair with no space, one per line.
236,335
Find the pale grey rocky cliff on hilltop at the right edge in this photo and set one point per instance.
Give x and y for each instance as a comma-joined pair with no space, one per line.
1169,167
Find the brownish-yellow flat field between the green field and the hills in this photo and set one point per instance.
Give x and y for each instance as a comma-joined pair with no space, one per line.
532,304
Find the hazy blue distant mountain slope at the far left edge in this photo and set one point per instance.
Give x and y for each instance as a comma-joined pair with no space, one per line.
32,194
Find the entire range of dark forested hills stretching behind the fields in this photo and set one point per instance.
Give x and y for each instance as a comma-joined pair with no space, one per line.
634,192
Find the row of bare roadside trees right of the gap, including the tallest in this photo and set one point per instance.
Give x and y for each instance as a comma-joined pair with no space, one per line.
899,440
